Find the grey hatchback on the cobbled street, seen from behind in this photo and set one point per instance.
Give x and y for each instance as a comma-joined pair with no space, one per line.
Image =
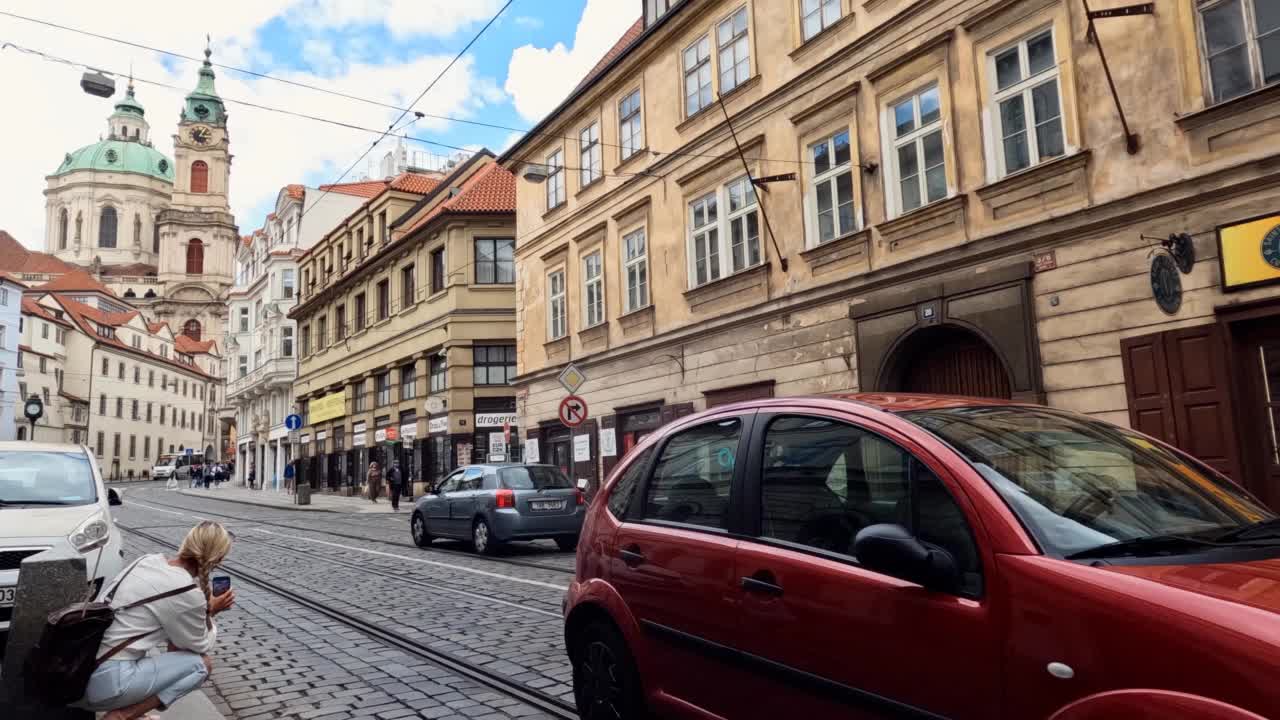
492,505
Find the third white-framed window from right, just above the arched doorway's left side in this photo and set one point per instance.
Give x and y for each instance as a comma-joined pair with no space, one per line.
920,174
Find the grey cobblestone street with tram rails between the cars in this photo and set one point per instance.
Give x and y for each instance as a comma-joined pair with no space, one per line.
340,616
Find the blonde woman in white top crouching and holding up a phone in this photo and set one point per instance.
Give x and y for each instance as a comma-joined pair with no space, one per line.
131,685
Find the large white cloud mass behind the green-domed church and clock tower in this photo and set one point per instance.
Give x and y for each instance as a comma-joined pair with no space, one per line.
271,149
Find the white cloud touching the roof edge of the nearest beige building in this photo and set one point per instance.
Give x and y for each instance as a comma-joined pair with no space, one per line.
540,79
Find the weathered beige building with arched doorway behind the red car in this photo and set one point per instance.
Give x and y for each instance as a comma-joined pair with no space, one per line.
753,198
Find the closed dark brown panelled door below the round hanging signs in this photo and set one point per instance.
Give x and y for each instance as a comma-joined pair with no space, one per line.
1180,391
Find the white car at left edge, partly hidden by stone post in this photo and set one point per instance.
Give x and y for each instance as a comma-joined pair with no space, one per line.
52,495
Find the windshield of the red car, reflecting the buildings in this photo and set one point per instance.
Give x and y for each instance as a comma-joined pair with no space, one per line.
1080,484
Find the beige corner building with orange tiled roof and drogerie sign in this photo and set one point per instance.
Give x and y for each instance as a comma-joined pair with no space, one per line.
406,327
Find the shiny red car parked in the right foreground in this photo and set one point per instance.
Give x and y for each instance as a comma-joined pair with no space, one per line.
911,557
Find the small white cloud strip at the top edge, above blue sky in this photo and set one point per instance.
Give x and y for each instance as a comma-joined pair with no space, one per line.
401,17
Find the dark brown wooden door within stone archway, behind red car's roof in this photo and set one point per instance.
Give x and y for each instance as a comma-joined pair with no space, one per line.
948,361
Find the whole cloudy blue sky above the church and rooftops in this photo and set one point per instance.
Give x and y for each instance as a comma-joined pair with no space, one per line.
386,51
